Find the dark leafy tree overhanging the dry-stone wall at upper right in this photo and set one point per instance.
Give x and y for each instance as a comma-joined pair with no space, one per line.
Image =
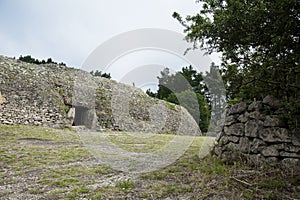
259,43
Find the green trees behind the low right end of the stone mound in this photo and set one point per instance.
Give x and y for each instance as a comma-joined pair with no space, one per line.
185,88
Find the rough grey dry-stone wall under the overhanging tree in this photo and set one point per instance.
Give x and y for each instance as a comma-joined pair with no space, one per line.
257,133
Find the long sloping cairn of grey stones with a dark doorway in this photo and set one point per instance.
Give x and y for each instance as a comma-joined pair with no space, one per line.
42,95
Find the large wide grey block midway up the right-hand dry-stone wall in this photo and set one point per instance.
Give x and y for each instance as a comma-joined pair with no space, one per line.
274,134
